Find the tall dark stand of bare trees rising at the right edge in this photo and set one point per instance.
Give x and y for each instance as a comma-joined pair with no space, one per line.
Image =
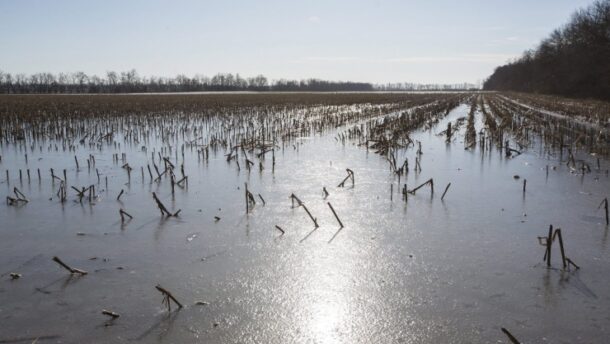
573,61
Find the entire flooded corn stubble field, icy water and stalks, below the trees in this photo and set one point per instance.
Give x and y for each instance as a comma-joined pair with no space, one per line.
298,219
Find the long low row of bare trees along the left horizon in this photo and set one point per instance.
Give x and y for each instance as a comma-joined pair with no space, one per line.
130,82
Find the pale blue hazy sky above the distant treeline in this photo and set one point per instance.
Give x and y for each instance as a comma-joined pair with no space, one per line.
435,41
